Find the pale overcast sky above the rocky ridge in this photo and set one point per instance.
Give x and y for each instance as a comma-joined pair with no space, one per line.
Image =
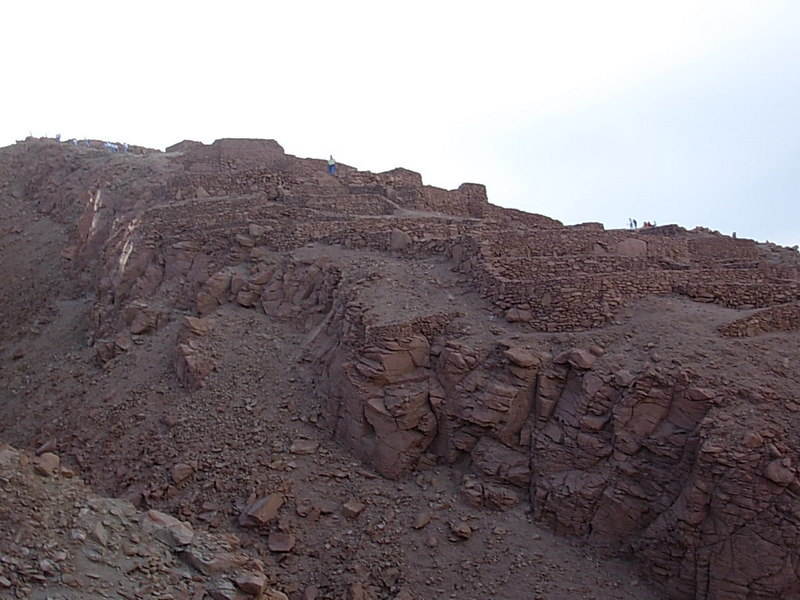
678,111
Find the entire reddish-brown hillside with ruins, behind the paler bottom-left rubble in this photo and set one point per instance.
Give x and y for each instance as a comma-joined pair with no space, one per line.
388,390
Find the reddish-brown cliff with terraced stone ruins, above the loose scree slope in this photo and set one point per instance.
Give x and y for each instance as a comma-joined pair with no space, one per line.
443,330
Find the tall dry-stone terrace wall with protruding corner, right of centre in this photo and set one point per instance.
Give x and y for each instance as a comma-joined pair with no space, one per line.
577,299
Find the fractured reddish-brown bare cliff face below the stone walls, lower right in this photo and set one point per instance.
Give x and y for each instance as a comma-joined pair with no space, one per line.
645,461
